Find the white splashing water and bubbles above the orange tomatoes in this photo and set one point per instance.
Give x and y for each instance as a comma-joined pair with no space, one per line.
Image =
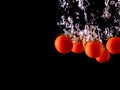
96,25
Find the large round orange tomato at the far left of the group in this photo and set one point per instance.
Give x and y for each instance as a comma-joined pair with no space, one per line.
63,44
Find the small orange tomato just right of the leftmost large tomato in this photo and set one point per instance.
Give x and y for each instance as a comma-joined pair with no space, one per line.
77,47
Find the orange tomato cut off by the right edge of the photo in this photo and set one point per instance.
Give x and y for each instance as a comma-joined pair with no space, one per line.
113,45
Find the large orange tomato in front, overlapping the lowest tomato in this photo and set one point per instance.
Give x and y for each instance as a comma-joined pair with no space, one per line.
94,49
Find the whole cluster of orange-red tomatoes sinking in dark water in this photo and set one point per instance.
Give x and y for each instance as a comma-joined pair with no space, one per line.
93,49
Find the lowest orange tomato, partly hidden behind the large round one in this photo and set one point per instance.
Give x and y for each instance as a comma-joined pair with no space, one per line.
104,57
